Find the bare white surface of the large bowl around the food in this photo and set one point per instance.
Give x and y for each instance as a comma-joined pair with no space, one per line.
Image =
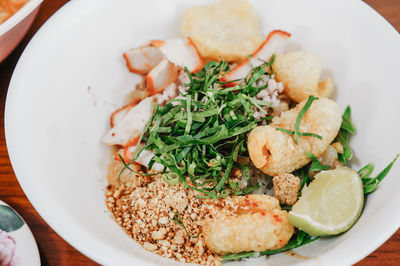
72,76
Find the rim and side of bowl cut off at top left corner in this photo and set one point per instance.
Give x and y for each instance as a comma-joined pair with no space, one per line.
14,28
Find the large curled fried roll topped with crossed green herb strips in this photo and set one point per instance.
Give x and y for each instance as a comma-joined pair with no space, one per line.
275,152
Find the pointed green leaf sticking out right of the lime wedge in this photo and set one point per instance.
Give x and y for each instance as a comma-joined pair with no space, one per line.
370,184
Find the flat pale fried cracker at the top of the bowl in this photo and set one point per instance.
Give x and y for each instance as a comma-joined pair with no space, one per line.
229,29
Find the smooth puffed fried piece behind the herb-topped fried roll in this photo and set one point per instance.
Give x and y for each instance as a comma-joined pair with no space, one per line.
300,72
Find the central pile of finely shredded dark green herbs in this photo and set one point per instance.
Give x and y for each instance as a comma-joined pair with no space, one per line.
202,135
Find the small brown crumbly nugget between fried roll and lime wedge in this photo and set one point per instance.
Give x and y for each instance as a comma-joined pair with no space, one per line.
286,188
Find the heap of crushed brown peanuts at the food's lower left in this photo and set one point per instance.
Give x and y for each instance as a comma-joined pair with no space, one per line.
146,212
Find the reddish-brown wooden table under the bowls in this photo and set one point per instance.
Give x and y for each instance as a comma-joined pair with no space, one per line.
53,249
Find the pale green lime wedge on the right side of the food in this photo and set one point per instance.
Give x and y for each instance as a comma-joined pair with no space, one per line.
331,204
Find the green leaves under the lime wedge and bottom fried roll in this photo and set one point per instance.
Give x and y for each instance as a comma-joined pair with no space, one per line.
299,239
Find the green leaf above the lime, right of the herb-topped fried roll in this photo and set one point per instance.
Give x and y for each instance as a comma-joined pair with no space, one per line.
346,128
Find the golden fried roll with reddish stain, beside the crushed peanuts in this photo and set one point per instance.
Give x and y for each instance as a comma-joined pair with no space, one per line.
259,225
